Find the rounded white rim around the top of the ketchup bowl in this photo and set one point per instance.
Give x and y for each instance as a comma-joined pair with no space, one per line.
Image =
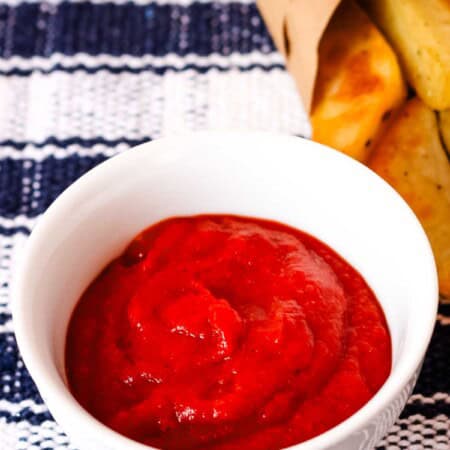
58,397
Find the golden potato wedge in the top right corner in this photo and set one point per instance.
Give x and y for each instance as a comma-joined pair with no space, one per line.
419,31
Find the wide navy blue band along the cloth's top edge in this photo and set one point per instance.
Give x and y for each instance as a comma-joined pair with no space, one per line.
31,29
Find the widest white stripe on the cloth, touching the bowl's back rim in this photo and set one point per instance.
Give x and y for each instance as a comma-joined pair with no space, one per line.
143,105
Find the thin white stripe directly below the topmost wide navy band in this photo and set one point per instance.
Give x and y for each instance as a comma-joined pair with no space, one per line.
172,60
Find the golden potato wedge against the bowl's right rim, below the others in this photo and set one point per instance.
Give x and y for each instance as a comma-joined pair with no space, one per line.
411,158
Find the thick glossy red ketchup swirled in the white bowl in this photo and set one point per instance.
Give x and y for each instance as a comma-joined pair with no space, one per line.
222,332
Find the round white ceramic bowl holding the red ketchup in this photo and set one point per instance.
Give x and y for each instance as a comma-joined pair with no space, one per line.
288,179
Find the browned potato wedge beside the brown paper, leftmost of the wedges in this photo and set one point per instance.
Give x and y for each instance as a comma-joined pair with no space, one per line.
359,83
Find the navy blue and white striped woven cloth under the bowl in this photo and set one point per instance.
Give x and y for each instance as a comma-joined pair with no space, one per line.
81,81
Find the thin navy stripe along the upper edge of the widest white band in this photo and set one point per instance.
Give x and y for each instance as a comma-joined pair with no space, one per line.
146,68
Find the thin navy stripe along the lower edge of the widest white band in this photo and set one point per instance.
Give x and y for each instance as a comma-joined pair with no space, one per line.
64,143
